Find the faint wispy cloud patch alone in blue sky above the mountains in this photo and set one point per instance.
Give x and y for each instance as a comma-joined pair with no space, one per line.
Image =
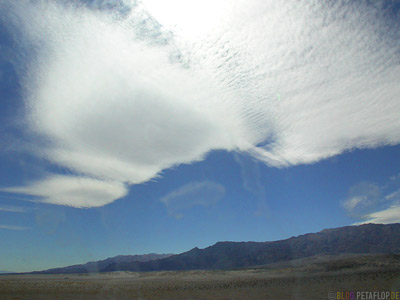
204,193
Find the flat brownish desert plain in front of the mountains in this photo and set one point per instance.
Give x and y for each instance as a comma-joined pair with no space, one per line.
310,278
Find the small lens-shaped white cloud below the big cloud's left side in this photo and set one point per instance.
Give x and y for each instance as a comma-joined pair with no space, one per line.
73,191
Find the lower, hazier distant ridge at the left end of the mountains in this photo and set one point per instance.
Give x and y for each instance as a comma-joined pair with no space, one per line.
98,266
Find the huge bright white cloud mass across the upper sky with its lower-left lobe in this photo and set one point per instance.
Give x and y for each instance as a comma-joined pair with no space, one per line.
119,98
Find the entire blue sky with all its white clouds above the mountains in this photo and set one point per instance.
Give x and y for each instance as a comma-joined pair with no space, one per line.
132,127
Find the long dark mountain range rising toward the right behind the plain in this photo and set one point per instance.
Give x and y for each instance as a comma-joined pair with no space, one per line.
368,238
